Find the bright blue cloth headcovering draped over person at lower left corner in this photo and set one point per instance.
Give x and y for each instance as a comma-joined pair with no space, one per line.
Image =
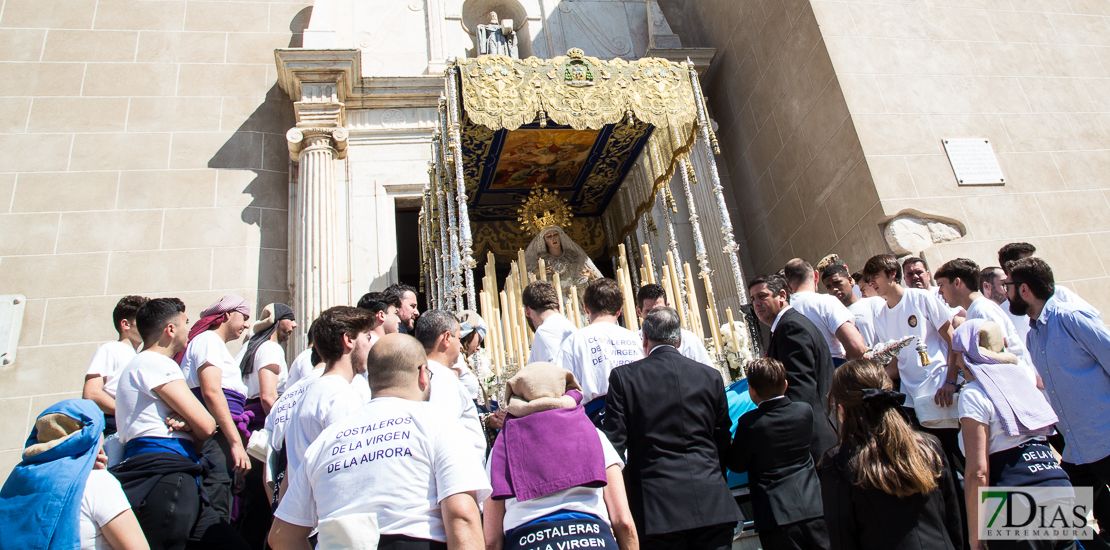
41,504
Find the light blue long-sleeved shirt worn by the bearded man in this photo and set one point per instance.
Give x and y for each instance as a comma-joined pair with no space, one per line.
1071,347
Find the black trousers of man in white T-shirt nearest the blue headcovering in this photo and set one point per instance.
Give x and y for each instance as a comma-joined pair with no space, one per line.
174,517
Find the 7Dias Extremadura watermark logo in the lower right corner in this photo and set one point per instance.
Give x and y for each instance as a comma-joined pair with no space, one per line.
1035,513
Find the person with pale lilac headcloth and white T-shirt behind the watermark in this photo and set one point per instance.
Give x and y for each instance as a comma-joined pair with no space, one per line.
1004,422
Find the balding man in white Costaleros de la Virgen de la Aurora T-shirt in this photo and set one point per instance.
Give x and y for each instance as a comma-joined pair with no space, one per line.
395,461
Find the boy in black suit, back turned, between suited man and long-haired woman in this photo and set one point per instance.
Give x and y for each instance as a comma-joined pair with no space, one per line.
772,444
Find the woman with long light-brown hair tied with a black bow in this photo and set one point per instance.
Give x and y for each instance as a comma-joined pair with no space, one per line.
885,486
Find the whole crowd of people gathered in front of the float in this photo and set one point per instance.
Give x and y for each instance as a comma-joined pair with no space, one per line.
882,407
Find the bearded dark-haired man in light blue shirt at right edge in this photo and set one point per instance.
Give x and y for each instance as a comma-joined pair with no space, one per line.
1071,347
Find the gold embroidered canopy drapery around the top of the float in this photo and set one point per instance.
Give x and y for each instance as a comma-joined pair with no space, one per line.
588,94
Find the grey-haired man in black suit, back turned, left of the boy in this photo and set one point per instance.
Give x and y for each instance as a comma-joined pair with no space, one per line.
671,415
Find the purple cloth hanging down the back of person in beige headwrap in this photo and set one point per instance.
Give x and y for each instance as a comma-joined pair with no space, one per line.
546,453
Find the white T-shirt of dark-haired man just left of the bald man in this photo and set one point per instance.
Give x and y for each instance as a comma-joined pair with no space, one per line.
327,401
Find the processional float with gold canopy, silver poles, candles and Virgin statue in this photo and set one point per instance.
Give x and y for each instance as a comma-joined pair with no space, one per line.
589,147
